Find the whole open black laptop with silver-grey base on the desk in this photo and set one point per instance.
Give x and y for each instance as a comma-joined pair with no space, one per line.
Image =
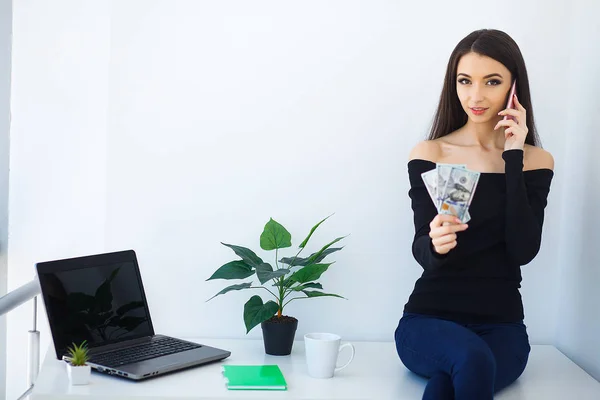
100,299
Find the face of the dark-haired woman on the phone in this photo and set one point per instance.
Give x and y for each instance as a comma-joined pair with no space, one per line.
482,84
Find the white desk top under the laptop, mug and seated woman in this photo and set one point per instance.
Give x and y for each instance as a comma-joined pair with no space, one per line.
376,373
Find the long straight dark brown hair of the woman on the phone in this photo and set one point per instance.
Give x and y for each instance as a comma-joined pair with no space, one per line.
501,47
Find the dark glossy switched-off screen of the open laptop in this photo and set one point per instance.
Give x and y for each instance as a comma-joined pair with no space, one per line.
100,303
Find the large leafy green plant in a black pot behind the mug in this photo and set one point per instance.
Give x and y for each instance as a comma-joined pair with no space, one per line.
291,279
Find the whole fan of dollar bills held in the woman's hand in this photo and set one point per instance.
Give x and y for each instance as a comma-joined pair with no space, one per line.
451,188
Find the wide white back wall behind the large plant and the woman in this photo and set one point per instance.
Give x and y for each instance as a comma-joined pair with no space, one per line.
238,112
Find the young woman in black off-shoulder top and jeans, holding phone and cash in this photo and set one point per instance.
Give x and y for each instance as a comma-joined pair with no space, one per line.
462,326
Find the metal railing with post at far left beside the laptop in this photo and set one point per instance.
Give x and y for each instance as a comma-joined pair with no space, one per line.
12,300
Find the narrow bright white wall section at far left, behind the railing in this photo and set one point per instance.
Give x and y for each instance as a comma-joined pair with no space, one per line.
58,147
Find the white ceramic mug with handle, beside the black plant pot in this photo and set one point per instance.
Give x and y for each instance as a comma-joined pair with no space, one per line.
322,351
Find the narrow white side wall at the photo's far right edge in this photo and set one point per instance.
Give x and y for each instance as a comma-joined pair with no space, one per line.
578,323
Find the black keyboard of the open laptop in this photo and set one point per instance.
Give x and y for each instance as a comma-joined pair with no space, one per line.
156,347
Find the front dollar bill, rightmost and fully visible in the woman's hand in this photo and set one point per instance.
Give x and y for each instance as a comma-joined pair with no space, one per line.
459,191
